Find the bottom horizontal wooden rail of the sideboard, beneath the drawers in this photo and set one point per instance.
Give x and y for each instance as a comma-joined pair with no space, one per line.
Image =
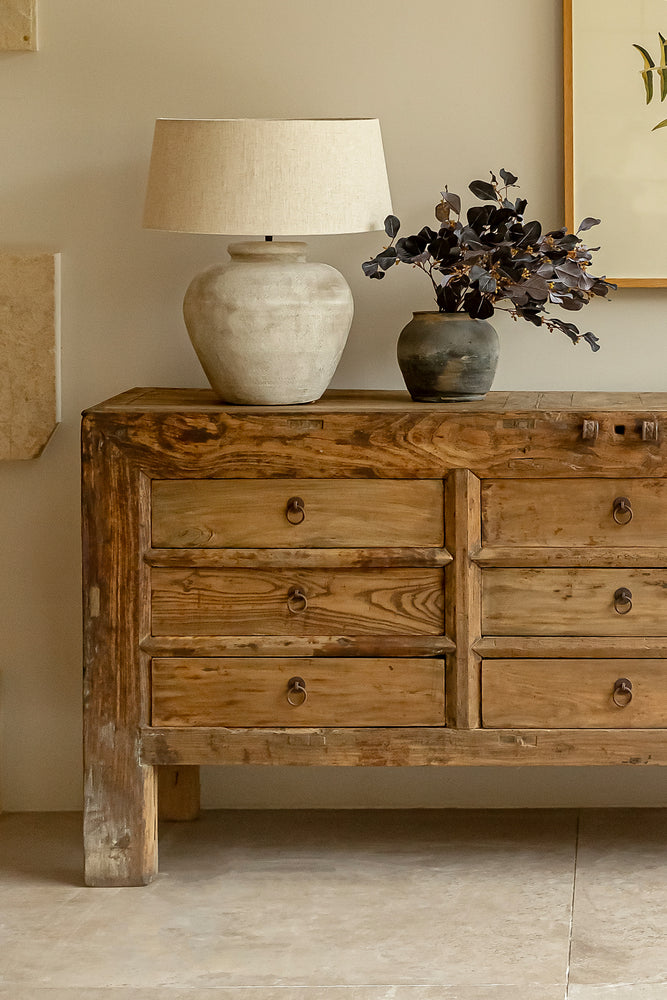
401,747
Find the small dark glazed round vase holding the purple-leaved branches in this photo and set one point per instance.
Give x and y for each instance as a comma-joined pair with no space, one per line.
447,357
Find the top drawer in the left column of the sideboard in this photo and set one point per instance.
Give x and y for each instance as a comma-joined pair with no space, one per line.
297,513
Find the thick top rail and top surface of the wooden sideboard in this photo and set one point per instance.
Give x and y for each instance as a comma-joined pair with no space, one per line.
381,437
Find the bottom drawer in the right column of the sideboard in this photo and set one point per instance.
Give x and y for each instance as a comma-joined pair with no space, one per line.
574,694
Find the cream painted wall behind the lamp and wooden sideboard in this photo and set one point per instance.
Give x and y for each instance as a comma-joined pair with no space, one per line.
460,87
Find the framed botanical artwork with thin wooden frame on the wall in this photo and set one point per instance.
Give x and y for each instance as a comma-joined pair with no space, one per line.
615,56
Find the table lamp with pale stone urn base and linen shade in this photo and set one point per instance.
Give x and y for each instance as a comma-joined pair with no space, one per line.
268,326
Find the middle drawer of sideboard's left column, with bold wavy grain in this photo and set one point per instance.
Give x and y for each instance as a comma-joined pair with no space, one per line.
301,602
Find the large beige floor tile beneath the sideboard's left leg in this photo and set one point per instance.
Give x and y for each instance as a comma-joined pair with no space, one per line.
294,899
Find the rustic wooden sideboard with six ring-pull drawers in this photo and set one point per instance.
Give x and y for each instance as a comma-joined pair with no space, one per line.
365,580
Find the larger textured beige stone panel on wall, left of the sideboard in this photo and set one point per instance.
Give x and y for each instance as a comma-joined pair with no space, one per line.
29,352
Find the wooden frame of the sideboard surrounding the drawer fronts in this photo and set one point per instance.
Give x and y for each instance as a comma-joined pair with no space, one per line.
145,435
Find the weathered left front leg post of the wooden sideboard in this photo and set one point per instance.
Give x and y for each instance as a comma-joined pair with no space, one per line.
120,807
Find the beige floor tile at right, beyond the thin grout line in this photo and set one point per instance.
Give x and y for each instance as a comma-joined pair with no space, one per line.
620,908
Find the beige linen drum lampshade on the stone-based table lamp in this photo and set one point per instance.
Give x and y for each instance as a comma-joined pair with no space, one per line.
255,177
